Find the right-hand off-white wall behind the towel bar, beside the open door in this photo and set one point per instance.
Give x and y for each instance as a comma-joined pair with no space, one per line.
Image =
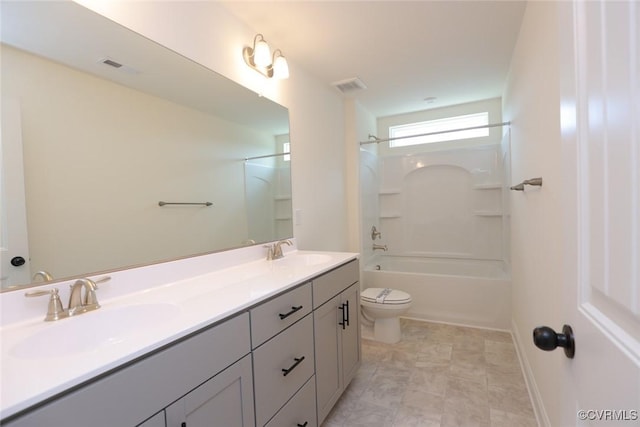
532,104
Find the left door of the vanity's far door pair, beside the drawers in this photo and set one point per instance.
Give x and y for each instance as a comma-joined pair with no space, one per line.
328,337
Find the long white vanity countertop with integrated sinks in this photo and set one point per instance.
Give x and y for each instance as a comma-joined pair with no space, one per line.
42,359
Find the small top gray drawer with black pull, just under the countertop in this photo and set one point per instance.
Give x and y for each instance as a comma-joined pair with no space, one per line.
273,316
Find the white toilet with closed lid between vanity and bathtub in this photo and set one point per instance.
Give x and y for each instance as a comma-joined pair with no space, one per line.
383,306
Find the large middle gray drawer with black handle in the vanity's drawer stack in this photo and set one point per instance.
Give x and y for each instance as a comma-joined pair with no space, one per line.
283,352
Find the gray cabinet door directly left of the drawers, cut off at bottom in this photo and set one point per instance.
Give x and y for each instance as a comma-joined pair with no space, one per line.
226,400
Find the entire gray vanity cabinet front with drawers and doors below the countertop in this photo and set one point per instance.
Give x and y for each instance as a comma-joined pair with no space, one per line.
284,362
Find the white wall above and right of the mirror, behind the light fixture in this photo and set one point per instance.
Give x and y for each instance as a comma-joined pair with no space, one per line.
207,33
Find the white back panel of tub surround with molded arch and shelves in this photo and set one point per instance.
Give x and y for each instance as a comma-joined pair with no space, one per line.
444,204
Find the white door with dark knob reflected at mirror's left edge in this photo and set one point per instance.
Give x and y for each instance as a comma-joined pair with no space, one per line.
14,248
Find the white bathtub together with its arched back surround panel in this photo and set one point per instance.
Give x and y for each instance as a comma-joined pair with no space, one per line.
442,217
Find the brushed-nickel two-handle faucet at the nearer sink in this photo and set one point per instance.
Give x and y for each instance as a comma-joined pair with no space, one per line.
78,303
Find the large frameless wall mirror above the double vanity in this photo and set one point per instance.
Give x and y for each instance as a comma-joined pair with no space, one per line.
103,145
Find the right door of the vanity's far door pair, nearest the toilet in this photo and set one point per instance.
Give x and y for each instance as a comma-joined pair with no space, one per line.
351,333
